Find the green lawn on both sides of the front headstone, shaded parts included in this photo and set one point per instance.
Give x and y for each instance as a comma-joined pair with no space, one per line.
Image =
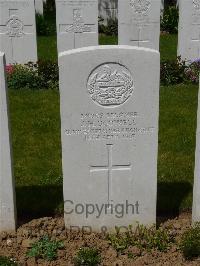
37,149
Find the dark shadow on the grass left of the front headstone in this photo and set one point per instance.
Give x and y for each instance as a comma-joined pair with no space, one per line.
38,201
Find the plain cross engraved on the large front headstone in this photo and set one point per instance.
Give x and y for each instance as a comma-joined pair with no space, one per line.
109,168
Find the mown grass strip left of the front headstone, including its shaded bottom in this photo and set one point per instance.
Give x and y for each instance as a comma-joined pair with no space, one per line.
35,124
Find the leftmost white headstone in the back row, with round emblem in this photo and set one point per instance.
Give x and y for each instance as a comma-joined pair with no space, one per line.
18,31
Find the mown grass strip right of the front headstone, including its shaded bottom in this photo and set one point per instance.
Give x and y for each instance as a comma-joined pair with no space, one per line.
177,127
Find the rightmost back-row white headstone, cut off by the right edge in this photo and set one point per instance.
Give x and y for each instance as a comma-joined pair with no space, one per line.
189,30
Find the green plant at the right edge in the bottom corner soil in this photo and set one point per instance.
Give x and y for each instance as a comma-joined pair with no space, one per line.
190,242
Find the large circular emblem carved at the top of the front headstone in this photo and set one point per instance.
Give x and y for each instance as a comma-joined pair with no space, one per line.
110,84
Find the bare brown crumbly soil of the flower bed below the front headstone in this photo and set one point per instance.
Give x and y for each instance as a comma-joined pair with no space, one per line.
16,244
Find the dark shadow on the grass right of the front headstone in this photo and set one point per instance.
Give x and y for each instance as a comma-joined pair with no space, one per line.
170,197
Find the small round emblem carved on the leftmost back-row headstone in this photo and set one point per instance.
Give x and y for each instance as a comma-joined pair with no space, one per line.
15,27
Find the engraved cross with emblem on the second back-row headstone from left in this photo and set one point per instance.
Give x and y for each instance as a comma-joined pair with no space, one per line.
78,25
